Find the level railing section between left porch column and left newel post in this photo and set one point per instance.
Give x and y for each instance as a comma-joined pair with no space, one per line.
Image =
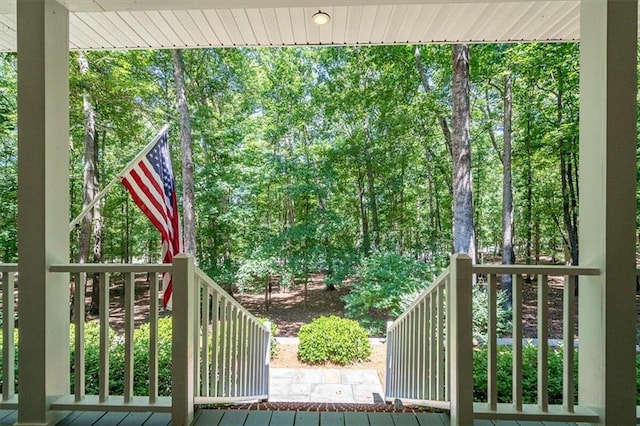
133,276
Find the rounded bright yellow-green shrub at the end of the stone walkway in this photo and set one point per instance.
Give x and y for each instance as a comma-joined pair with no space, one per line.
338,340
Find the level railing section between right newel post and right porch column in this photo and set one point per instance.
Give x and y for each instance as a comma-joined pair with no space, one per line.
542,409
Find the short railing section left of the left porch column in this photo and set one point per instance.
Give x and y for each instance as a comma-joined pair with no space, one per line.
8,274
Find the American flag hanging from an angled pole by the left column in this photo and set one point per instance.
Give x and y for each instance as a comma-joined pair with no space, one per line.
152,187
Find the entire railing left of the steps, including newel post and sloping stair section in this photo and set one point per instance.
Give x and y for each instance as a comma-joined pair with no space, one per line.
220,352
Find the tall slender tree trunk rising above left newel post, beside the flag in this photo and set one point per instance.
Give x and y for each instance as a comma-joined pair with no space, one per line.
188,209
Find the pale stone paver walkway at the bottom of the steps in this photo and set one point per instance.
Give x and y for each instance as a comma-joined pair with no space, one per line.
325,385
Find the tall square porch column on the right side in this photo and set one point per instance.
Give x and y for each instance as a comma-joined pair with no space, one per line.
608,37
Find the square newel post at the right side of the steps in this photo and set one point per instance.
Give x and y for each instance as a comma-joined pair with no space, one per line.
460,340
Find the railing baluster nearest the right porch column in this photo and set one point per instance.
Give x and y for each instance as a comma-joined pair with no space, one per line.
568,314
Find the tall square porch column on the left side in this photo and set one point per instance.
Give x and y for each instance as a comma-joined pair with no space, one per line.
43,205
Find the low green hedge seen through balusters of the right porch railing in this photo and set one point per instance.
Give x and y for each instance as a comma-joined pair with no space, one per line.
529,373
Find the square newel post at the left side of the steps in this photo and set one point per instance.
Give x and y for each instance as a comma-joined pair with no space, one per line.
184,308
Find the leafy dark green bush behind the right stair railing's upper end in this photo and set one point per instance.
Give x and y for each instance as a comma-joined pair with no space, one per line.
386,283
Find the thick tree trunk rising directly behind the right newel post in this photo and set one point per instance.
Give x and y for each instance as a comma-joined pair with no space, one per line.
463,226
